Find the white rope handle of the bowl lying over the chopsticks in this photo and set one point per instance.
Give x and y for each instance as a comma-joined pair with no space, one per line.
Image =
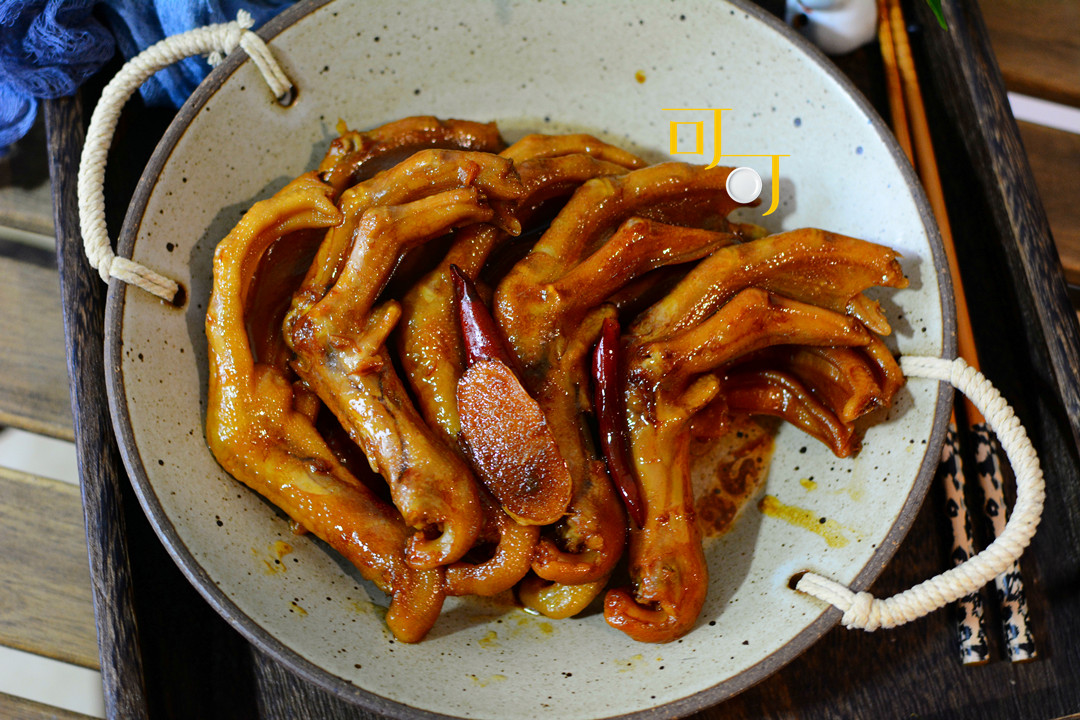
862,610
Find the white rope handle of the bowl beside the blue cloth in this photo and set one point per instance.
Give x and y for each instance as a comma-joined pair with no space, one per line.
215,40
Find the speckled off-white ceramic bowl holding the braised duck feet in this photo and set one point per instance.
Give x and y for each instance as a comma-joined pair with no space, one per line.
613,71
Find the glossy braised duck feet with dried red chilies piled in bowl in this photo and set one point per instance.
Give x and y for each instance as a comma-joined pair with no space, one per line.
534,445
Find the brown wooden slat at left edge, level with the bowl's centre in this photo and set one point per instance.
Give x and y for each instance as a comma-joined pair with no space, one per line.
34,395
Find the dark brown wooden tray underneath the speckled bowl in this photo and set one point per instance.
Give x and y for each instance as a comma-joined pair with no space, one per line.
166,655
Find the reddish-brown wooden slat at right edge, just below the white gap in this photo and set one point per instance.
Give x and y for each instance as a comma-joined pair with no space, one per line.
1056,160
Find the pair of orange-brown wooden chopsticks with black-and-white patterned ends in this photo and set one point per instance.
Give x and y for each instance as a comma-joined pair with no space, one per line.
1010,591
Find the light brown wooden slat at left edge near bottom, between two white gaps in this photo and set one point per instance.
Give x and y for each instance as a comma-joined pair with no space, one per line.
46,605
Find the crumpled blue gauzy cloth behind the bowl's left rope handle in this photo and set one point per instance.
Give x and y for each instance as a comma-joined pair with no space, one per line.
49,48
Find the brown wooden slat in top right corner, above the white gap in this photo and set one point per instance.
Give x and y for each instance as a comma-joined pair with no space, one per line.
1037,44
